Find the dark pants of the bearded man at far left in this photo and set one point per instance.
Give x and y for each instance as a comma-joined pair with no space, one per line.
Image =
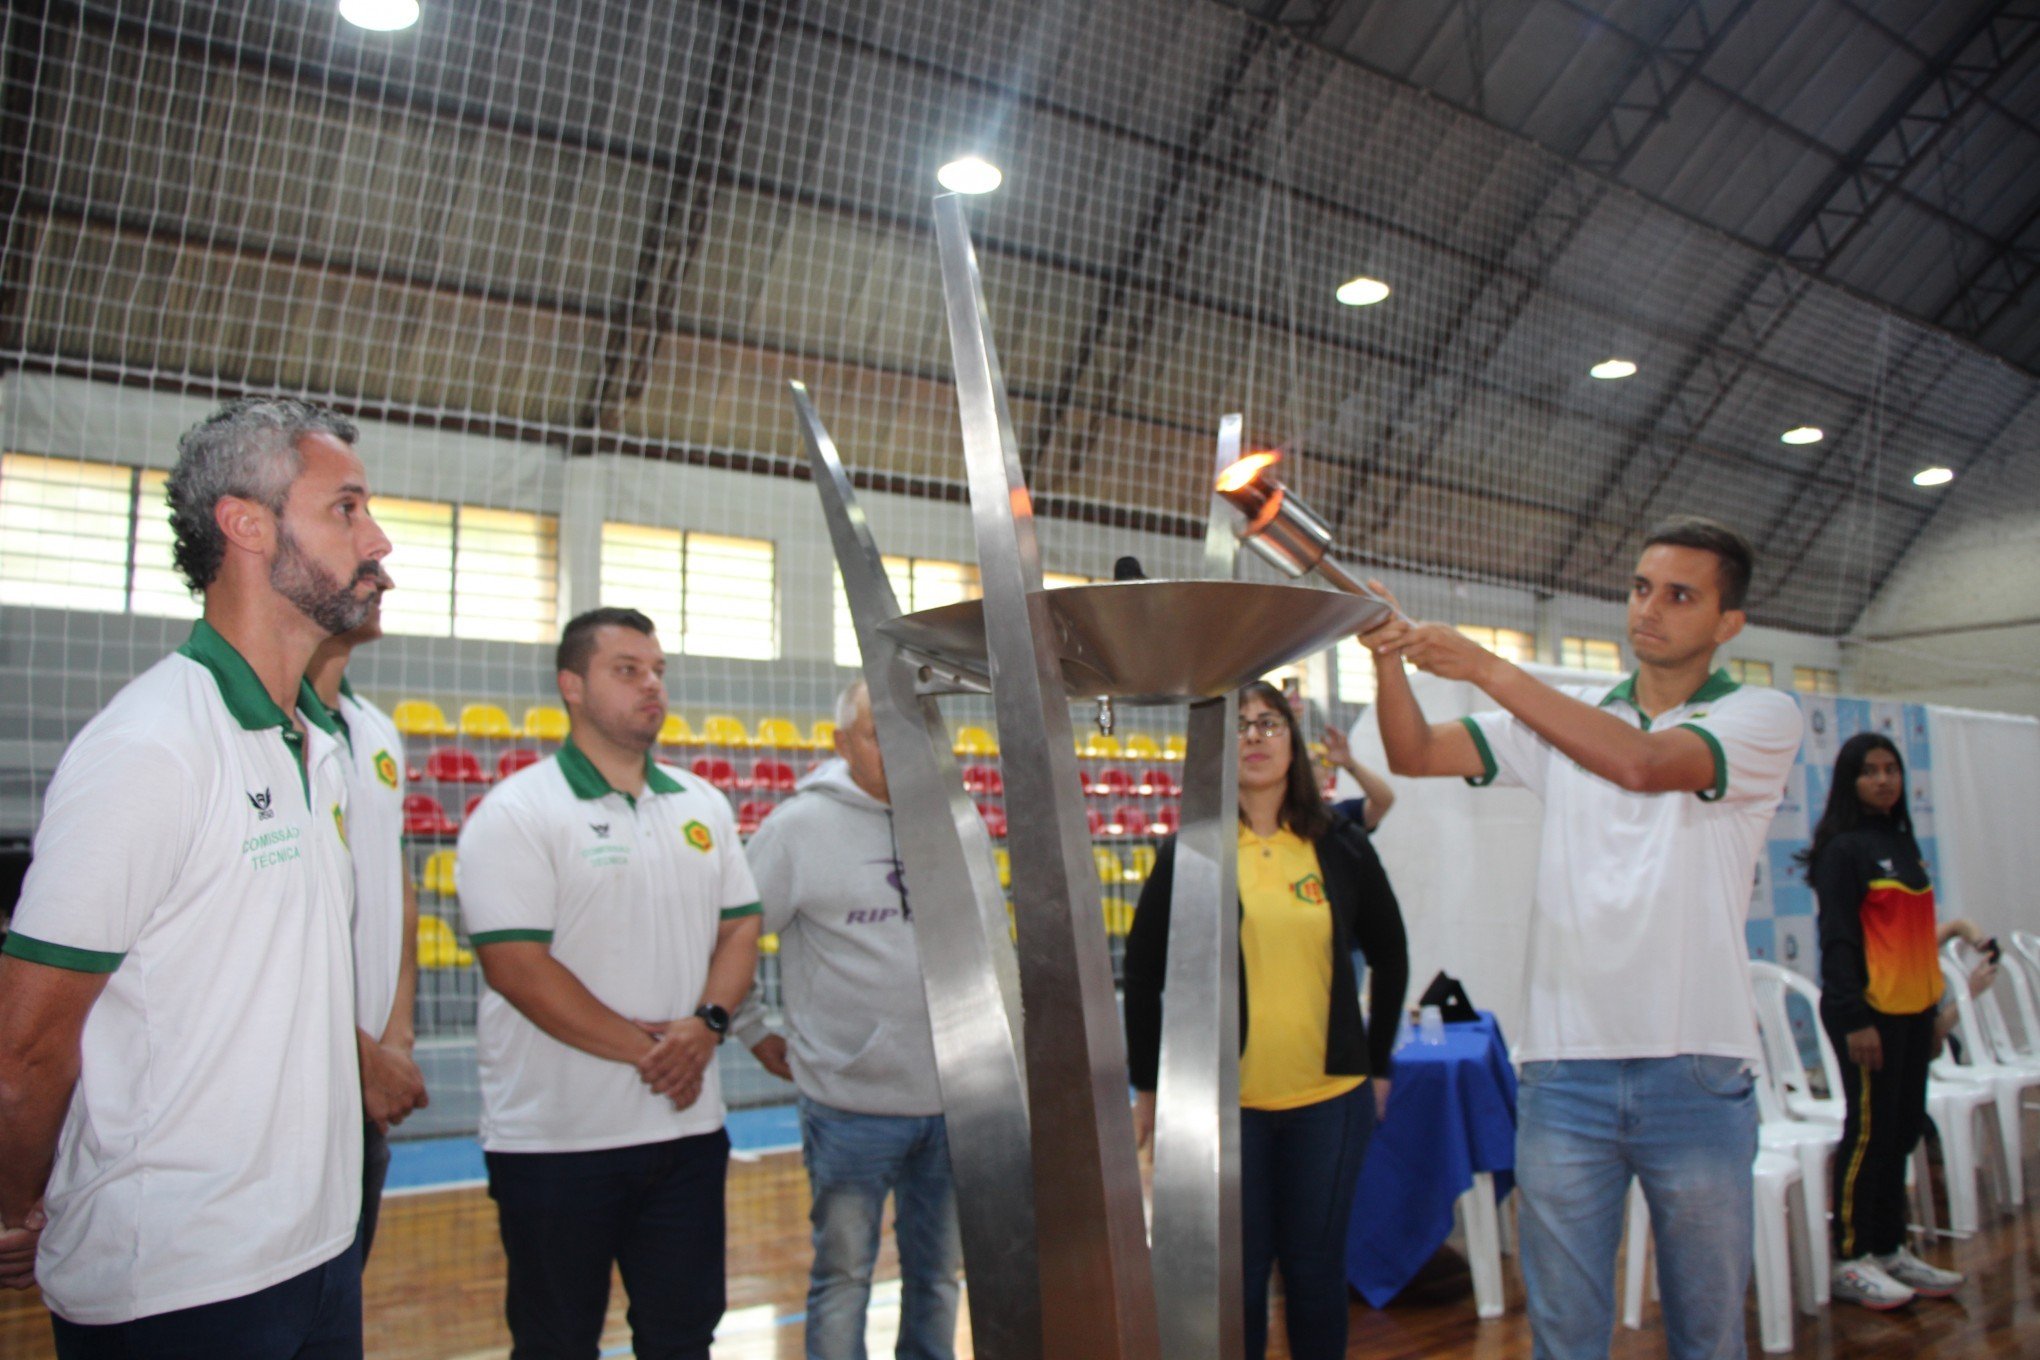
313,1316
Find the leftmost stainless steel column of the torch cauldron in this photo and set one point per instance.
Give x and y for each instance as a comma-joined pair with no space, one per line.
960,929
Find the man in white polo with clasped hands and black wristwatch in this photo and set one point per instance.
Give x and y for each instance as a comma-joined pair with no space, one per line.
617,929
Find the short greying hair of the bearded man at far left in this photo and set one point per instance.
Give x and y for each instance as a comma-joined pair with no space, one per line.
246,450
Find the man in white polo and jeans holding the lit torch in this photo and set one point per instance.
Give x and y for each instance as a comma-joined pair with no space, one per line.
1641,1029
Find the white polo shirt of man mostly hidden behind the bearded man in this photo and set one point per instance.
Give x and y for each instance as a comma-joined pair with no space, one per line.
376,833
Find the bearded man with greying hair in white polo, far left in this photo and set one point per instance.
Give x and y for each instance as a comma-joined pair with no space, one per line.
181,1104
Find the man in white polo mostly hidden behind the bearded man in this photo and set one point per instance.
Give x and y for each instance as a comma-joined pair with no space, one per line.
387,906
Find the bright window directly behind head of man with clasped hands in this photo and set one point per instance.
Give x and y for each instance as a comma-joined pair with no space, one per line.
707,594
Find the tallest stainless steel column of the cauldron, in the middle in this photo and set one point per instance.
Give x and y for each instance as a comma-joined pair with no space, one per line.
1094,1267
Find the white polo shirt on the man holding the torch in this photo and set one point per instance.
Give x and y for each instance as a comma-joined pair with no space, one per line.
1637,935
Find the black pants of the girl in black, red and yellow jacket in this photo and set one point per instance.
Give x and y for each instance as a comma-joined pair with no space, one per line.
1886,1116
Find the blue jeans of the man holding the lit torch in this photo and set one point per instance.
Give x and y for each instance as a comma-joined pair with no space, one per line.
1686,1129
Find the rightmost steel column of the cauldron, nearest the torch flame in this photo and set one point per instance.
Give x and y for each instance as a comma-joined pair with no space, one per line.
1196,1239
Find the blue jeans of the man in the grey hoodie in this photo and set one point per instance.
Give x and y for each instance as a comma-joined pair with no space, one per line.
854,1163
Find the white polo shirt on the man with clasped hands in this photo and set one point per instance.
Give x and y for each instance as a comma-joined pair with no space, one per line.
629,896
